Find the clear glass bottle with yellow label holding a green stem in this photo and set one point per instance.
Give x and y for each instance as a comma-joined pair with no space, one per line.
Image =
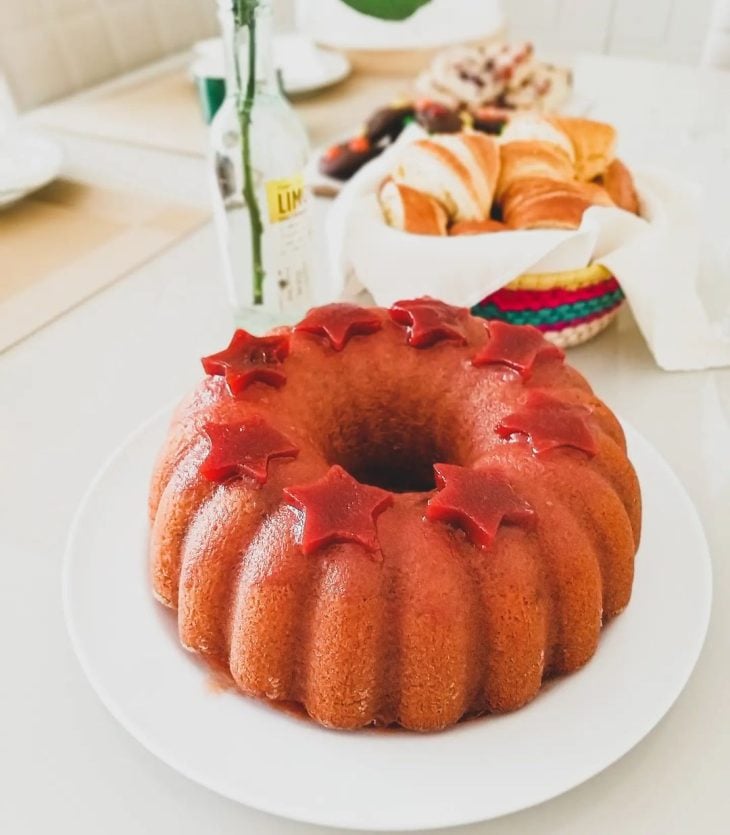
263,209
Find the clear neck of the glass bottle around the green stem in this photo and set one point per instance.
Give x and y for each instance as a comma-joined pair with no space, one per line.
239,40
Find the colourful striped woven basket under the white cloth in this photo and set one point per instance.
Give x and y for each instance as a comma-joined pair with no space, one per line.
568,307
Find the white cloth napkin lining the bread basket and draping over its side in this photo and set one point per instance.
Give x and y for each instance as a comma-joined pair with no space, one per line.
656,258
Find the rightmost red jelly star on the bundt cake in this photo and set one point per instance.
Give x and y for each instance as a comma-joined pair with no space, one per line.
550,424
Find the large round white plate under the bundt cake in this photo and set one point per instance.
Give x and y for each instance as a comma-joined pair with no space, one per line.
249,752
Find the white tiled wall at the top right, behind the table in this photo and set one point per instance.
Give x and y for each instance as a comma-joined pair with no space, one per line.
672,30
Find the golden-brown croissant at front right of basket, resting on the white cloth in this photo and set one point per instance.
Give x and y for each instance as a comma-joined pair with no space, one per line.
541,203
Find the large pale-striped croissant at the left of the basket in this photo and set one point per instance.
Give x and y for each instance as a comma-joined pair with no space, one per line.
460,171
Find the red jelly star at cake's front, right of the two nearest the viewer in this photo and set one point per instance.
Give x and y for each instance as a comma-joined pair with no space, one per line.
478,501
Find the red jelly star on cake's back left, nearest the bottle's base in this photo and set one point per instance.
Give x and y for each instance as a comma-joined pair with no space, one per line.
250,359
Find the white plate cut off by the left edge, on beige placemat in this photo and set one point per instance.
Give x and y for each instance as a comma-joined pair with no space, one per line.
27,162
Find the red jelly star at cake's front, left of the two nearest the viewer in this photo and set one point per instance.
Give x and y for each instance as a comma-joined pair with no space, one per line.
337,508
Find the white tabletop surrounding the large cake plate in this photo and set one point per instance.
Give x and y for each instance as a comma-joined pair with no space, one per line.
76,389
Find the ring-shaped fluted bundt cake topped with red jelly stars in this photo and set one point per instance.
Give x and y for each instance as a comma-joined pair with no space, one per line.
395,517
